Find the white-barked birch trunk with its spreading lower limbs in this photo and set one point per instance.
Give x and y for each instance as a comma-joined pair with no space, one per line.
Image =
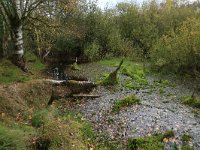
14,13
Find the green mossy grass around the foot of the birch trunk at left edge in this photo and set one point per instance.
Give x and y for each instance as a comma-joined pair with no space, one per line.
10,73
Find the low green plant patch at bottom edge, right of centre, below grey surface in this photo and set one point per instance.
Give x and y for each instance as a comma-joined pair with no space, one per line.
154,142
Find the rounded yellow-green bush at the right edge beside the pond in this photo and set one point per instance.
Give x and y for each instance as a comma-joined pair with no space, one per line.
180,49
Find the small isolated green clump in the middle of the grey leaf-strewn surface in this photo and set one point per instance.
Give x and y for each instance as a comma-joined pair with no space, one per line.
125,102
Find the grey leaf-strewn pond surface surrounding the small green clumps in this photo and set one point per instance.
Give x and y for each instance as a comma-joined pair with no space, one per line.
157,113
